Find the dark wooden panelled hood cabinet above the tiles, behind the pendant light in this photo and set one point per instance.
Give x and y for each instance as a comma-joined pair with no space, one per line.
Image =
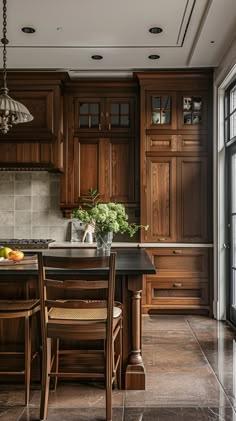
37,143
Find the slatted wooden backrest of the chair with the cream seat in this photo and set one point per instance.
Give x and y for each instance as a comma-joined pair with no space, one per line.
89,284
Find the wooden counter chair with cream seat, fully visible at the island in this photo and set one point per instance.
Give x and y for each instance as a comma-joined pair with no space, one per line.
79,317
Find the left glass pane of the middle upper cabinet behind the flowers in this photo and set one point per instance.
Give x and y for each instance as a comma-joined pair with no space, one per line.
89,115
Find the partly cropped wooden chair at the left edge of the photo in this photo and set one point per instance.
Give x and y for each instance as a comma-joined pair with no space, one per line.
17,309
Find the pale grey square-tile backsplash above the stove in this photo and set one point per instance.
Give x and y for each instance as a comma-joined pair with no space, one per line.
29,206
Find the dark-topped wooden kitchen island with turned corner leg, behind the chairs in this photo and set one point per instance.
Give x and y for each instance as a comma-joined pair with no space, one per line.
17,280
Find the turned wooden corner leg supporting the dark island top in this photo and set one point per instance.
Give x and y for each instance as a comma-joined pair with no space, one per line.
135,371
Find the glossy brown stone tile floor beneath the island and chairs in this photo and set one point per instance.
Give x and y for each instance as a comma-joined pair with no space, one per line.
191,376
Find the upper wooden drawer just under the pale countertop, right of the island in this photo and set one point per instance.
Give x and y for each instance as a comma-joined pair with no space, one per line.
180,262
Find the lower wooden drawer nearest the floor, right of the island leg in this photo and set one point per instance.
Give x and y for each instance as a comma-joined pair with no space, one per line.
177,292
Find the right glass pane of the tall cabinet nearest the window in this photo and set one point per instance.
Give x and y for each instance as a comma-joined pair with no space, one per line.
192,110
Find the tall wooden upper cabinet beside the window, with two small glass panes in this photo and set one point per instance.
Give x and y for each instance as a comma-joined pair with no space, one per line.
176,161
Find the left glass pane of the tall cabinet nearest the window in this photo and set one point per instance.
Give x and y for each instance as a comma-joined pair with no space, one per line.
161,110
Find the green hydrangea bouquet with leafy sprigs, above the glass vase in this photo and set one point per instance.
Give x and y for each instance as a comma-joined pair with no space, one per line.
105,217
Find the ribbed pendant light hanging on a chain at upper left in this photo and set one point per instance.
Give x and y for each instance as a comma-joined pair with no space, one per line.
11,111
